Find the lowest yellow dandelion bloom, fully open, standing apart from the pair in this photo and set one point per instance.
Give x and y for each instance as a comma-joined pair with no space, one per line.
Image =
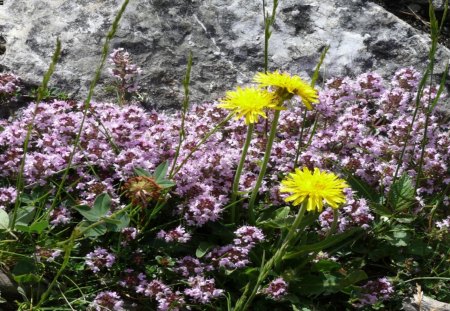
315,187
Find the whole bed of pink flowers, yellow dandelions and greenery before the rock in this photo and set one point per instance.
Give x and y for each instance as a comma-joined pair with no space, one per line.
341,203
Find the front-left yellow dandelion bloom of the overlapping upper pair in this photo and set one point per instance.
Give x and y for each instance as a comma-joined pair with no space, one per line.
249,103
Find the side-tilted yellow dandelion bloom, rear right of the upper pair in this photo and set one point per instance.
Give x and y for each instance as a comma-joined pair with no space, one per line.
292,85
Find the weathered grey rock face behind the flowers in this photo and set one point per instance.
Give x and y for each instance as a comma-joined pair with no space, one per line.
226,38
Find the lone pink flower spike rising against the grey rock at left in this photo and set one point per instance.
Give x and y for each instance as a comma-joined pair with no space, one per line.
124,71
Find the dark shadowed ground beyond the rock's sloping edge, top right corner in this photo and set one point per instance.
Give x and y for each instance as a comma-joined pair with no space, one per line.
417,16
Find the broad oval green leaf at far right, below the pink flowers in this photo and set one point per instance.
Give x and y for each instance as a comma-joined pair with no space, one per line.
401,194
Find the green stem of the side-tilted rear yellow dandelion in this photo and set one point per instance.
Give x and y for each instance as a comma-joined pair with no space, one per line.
262,172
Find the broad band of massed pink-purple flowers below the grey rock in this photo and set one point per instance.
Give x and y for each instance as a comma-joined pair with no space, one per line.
362,127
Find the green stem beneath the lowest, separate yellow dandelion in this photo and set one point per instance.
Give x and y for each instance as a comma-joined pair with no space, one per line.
243,303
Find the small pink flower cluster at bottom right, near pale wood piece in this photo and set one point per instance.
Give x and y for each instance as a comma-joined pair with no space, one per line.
374,291
